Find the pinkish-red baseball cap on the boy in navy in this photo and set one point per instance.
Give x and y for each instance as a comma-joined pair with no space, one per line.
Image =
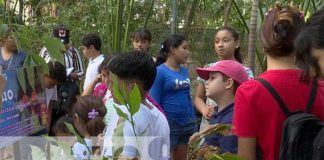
230,68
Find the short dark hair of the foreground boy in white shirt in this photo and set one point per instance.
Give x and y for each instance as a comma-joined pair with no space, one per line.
134,65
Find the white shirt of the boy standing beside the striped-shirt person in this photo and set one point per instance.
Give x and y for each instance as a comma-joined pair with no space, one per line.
92,70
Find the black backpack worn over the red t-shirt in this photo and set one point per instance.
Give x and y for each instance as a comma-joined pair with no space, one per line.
300,129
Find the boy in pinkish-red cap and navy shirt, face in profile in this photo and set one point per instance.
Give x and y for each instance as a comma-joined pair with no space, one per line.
223,78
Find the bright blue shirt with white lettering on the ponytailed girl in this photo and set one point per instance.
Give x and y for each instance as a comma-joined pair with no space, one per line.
171,89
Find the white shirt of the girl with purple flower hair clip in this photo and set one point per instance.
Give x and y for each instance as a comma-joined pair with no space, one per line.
80,151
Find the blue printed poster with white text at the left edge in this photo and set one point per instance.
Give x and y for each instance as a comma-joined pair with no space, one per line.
23,111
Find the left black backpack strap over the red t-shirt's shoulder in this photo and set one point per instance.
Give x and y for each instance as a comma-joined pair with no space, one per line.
275,95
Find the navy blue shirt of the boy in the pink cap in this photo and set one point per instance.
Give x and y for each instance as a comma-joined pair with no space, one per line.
226,143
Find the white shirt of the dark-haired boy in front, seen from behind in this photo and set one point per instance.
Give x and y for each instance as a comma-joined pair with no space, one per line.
152,130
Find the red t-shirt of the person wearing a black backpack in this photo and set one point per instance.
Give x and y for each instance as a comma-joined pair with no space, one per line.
257,115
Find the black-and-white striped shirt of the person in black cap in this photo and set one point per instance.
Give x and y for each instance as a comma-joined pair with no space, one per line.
72,58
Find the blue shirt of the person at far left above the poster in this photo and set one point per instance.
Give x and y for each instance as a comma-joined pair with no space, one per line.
16,61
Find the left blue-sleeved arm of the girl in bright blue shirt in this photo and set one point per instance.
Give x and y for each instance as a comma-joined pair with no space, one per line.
156,89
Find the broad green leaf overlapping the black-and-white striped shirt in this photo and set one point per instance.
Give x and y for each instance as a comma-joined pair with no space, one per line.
54,47
